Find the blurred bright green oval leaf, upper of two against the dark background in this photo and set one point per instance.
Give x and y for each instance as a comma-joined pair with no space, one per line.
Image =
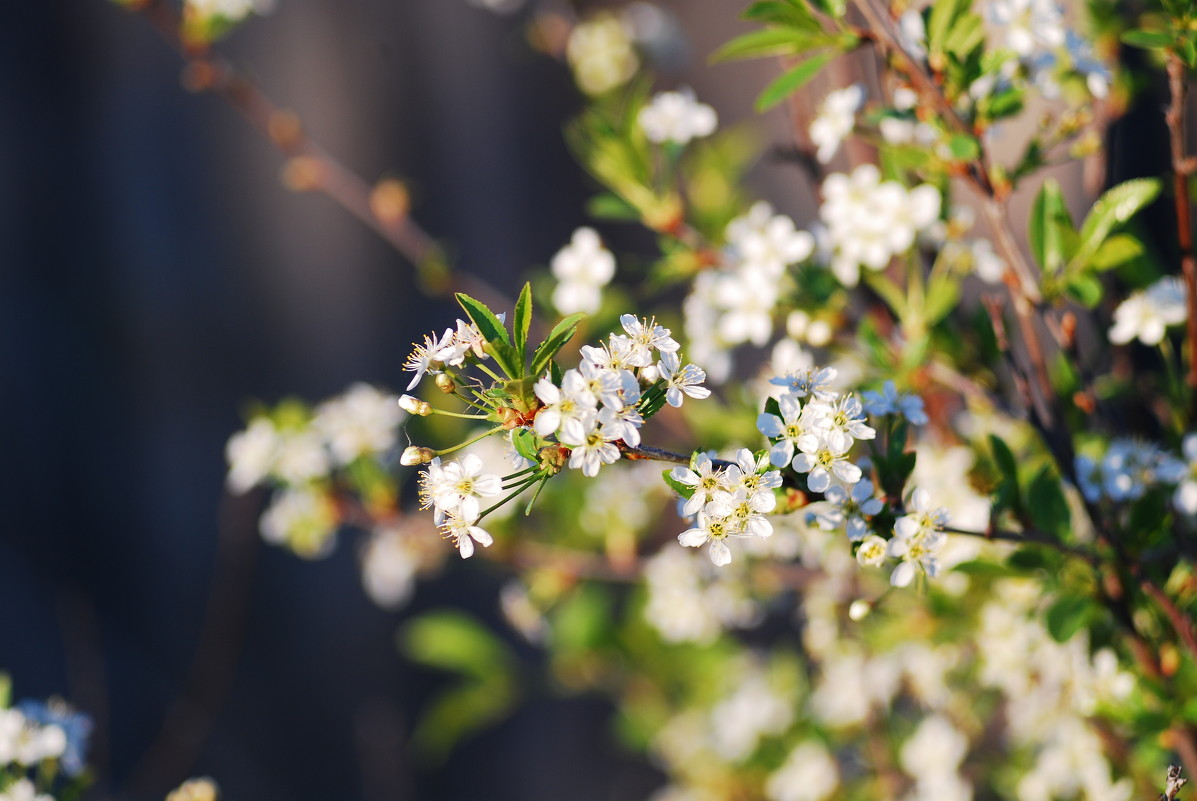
457,642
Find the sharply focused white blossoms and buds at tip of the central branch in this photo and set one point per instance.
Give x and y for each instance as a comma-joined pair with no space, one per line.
580,418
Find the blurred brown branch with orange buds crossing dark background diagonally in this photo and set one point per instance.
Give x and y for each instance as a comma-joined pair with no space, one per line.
384,208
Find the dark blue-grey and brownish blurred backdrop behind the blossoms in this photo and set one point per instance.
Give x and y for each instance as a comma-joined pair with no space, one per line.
155,277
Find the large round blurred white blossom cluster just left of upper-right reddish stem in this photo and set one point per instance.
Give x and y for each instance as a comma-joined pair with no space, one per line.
871,221
